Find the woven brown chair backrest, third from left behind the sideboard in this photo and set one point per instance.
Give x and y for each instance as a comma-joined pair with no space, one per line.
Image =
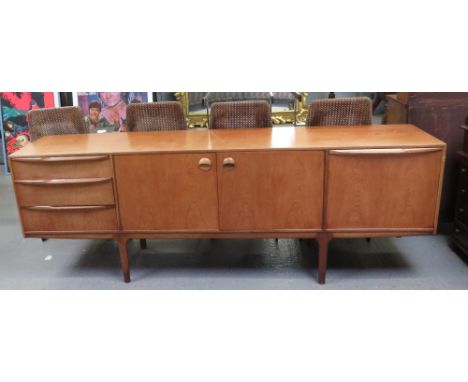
241,114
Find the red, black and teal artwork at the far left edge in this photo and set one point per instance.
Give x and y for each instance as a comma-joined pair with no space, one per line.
13,117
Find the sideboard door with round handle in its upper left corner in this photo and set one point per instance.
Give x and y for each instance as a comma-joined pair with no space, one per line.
270,190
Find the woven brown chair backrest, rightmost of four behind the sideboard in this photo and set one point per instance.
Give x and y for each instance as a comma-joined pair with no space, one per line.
340,112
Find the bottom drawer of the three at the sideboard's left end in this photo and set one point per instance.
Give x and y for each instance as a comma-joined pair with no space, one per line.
77,218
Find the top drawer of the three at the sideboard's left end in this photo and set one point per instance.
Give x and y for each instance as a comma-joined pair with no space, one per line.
72,167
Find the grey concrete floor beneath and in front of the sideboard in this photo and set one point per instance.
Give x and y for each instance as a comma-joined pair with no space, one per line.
406,263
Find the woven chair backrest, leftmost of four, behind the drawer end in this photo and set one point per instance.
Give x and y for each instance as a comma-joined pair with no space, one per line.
56,121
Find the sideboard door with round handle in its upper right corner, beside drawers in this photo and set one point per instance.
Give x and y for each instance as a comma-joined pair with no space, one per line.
167,192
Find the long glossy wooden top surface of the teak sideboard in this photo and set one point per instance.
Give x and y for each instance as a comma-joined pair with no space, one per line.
203,140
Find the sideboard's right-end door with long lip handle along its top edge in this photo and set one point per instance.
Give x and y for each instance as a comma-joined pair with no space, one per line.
383,189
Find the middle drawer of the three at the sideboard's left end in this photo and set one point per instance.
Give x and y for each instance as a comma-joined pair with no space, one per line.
65,192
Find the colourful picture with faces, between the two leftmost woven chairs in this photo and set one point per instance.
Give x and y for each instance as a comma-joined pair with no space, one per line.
107,111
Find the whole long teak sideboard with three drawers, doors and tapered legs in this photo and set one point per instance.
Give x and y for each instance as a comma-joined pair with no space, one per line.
320,182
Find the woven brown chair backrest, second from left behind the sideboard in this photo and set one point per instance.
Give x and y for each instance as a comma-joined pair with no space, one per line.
155,116
